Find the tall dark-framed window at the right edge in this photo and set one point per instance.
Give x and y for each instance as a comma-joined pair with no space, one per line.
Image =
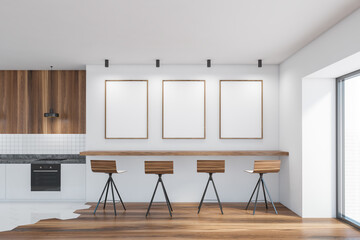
348,148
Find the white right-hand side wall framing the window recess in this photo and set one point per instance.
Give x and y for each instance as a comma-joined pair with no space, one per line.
337,43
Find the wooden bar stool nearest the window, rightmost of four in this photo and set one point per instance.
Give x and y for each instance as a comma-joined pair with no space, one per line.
262,167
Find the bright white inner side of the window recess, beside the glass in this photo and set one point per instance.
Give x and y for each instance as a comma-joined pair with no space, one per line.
319,147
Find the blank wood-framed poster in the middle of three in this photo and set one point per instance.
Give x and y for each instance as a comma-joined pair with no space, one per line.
183,109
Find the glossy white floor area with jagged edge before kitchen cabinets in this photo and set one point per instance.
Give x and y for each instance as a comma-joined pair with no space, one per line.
14,214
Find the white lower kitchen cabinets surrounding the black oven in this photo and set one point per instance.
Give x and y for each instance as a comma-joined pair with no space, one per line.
18,183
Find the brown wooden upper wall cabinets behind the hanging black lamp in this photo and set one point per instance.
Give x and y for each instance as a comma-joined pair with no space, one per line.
26,95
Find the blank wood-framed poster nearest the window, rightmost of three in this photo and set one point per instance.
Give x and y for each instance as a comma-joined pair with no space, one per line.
241,109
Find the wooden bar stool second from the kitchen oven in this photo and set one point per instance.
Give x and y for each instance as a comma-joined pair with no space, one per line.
159,168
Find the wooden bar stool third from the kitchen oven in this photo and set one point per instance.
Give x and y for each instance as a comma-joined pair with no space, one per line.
210,167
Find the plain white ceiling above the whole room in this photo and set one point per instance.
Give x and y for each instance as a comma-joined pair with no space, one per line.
72,33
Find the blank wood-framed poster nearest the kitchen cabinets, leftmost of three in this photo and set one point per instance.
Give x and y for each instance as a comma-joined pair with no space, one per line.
126,109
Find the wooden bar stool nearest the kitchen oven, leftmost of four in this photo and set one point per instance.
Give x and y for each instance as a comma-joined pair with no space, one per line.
109,167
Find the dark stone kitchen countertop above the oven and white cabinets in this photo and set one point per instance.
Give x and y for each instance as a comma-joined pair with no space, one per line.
42,158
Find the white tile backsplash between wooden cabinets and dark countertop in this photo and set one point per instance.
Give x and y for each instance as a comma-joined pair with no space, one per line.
42,143
